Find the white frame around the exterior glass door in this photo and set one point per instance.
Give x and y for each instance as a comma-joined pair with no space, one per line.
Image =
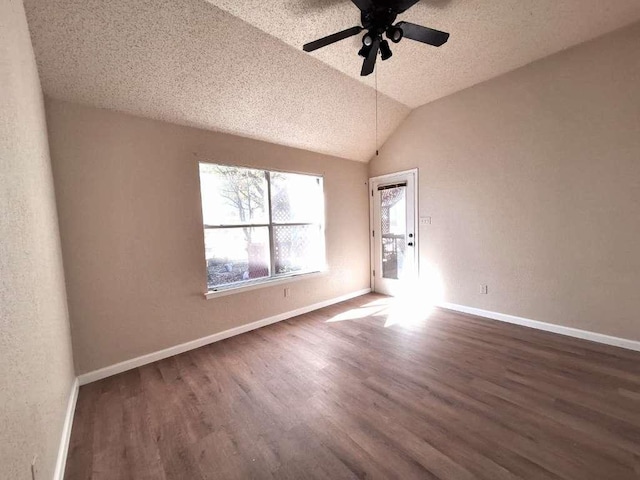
381,179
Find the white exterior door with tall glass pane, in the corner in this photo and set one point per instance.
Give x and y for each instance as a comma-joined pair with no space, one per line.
394,236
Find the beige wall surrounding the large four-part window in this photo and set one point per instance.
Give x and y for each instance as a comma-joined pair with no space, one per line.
131,227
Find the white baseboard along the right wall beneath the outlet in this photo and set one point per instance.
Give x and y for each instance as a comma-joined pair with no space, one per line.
548,327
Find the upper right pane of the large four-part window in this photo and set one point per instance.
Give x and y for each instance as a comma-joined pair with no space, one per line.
296,198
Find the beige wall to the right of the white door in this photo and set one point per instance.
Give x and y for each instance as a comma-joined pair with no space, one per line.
533,183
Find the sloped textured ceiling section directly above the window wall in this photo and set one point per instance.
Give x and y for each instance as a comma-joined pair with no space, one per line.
189,62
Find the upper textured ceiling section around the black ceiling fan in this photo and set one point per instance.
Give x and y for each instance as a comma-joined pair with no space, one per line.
488,38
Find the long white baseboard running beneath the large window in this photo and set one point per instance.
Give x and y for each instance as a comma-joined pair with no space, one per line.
200,342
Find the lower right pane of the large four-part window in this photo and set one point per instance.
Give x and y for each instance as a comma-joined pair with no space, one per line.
298,248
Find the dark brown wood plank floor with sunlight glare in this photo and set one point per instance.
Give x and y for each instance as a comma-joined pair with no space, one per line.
452,397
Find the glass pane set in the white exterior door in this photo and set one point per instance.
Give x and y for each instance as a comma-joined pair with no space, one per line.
393,215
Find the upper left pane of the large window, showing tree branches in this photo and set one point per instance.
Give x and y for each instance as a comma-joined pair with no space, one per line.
233,196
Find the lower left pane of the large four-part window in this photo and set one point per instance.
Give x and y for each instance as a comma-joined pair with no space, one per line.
236,254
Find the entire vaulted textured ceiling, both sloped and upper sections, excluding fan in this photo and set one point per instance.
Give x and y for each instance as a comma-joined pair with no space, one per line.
237,66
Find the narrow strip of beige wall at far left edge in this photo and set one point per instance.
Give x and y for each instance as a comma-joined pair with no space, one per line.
36,368
